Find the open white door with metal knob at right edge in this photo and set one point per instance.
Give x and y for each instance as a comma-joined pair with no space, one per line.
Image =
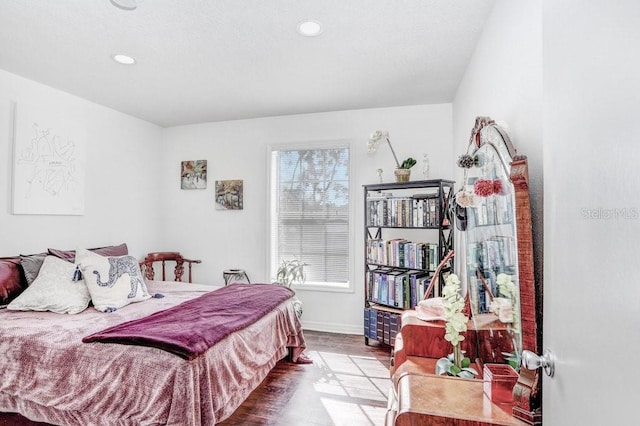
591,155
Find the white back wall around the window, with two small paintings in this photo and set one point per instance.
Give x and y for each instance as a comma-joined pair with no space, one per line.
238,150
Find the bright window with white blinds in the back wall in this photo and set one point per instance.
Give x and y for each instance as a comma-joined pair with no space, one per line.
310,212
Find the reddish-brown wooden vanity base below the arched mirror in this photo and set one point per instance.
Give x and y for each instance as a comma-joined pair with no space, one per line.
419,397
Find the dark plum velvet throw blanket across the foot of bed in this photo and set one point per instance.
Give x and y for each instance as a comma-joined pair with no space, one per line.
192,327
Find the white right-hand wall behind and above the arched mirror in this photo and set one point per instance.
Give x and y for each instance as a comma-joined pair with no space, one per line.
504,81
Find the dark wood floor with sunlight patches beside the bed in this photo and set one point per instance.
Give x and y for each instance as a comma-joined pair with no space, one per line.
347,384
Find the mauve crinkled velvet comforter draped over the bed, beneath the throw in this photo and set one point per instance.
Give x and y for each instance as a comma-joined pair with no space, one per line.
48,374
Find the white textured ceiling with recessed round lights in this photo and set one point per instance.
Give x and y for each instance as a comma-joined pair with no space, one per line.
215,60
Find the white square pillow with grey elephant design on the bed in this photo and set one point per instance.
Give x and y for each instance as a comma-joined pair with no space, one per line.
113,281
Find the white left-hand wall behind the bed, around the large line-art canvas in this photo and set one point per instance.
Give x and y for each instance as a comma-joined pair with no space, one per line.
121,201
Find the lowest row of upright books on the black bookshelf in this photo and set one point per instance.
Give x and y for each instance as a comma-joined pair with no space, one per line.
397,288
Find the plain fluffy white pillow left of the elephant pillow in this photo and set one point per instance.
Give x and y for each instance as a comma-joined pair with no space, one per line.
54,290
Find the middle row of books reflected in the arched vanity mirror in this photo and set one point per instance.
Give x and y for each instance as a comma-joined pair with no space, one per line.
496,253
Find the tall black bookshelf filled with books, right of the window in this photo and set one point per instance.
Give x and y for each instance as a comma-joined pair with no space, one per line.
407,233
